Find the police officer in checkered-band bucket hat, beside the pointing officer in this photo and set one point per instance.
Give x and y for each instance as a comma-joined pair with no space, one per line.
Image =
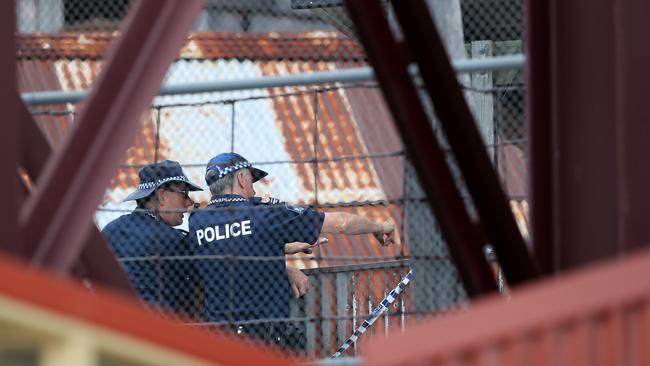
144,238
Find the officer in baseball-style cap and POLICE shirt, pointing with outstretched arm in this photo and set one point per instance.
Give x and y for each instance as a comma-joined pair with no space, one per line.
242,241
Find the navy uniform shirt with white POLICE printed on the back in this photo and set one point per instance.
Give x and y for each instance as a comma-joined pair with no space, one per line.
232,228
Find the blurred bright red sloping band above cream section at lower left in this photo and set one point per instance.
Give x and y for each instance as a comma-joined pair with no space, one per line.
126,317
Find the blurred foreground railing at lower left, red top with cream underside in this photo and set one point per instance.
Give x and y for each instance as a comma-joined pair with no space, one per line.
74,326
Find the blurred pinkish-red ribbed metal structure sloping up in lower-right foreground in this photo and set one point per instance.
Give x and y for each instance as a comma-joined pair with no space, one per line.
556,321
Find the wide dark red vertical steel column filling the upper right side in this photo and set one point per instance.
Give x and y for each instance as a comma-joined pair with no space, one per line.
588,117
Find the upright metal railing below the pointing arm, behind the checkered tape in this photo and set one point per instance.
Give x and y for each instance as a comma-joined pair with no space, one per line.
341,297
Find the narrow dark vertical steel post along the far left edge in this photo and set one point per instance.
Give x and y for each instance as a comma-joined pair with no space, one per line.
10,127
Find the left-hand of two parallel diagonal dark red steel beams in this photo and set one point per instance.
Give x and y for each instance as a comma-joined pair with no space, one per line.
463,237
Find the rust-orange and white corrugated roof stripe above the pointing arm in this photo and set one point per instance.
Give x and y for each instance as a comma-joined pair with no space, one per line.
337,135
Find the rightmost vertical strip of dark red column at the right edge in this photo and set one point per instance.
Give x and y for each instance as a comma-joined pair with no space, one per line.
632,85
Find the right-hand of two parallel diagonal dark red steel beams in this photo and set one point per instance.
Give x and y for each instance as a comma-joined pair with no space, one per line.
465,140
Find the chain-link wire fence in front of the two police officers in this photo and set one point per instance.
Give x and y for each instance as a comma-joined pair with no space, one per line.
329,149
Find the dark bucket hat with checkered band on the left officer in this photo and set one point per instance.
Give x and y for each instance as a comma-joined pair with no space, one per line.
153,176
